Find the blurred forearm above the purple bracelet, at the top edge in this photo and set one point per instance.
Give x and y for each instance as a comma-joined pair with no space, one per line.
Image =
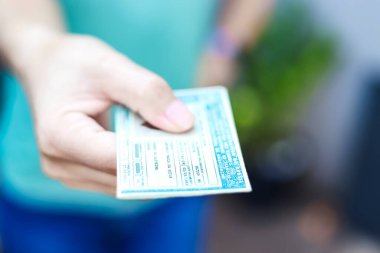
244,20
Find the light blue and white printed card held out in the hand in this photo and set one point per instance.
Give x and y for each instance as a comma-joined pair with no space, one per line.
205,160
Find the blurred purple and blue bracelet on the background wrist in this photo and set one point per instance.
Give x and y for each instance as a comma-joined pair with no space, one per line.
223,45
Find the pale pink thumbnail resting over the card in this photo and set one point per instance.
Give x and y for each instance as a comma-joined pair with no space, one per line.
179,115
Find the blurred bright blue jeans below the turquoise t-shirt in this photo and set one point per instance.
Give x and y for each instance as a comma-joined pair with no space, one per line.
178,226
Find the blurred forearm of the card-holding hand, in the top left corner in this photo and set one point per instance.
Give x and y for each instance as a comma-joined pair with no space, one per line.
26,26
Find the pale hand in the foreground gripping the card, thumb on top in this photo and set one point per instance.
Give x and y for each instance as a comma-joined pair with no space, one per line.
71,82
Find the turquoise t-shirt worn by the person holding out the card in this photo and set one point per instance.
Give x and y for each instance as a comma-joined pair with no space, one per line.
165,36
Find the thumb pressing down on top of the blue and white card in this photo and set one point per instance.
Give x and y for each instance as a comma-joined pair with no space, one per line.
147,94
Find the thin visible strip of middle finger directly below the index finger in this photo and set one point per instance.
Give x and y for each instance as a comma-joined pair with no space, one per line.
63,170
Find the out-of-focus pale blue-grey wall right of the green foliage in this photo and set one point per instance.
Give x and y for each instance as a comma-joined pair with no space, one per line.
335,111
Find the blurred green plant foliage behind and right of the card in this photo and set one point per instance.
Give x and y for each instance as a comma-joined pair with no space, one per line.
278,75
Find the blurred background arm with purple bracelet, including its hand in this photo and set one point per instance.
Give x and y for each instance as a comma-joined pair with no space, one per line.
239,26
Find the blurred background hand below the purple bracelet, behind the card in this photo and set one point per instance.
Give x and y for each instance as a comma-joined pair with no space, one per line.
216,70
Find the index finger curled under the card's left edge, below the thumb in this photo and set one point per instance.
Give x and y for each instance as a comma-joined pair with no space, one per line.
79,138
